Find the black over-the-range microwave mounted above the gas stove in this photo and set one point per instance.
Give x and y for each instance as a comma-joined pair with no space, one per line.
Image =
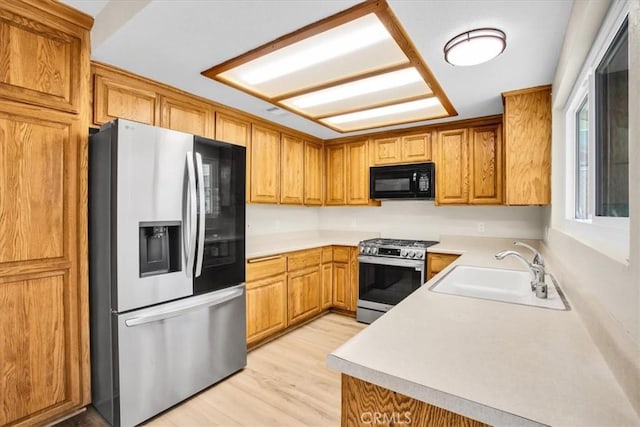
415,181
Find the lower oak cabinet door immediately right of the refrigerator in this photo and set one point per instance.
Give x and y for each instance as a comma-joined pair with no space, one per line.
266,307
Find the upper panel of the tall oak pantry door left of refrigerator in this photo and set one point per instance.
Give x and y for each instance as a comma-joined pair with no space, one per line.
37,159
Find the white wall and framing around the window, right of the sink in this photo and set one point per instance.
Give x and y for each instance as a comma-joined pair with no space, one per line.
605,291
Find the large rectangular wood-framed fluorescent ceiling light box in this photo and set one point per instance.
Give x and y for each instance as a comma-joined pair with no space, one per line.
354,70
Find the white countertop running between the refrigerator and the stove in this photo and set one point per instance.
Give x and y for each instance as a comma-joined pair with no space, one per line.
271,244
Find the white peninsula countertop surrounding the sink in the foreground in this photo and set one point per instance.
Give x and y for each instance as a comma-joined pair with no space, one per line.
503,364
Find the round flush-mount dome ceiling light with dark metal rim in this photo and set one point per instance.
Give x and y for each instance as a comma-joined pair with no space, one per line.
475,46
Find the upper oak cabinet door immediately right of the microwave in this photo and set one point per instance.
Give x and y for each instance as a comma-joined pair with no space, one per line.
452,169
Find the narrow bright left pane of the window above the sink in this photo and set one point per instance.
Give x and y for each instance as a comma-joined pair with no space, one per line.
582,160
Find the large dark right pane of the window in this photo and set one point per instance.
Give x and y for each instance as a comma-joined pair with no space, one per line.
612,129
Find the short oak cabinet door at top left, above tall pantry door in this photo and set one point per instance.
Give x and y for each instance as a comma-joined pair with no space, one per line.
40,56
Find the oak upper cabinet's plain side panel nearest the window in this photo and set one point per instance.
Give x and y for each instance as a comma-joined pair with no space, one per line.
527,140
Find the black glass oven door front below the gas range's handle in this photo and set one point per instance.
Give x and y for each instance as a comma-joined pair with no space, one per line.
387,284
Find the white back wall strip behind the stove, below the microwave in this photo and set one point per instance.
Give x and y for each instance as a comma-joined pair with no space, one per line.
422,220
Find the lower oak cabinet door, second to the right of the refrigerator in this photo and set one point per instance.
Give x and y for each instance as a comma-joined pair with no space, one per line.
303,294
